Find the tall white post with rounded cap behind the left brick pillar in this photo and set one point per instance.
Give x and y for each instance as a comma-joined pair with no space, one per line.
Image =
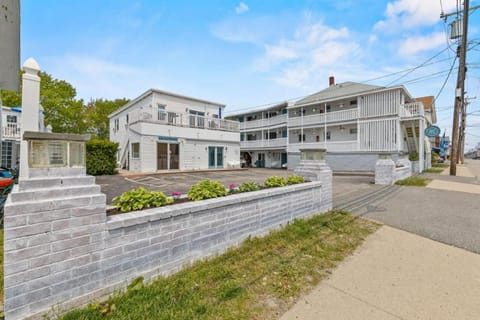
30,108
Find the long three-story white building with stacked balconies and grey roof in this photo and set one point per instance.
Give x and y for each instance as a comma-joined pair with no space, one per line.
354,122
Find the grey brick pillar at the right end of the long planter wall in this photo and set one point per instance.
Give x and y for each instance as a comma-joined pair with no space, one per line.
313,167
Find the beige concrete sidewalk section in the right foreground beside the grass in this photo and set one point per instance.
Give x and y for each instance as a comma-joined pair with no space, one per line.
397,275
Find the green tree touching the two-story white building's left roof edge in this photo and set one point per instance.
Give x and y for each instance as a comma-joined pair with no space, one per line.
97,115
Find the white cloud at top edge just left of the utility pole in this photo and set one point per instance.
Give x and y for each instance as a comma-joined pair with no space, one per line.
410,14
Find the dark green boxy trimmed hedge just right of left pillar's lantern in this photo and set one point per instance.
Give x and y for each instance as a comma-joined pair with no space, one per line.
101,157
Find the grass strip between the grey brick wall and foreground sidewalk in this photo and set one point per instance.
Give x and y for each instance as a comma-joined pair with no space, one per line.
260,279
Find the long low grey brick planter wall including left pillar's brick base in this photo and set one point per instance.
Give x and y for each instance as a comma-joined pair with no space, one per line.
61,249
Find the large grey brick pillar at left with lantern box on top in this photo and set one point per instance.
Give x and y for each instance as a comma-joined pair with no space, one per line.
54,228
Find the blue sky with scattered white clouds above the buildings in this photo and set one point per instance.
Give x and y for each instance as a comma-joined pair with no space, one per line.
249,54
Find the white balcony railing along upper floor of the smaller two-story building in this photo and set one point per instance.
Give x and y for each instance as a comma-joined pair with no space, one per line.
186,120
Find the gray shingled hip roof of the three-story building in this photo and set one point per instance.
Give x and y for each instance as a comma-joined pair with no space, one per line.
339,90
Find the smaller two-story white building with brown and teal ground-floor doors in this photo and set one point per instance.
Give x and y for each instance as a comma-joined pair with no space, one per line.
160,130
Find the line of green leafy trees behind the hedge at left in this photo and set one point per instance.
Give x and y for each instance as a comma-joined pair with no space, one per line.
64,112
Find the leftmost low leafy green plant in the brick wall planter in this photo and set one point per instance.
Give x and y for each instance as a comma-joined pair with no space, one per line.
139,199
